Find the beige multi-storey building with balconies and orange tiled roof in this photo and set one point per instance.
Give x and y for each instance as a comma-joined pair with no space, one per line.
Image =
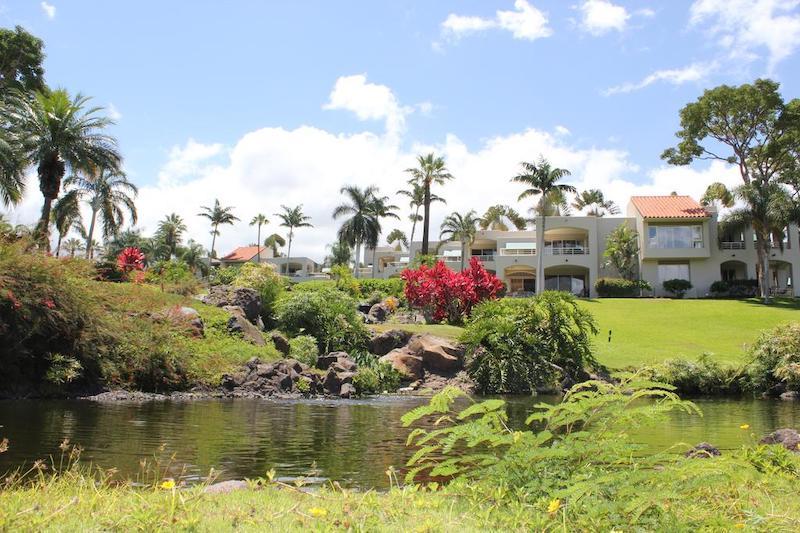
678,238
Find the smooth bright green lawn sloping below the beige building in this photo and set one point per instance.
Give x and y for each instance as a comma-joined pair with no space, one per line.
650,330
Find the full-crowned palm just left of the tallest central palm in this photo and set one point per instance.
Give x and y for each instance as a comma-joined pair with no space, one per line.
363,225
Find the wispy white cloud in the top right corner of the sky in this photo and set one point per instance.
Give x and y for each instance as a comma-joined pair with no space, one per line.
745,28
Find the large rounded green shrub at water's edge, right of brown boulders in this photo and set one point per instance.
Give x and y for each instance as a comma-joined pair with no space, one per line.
519,345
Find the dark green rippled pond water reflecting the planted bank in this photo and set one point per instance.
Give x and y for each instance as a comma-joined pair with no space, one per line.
351,442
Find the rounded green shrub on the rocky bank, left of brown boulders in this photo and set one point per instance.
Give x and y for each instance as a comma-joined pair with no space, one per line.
328,315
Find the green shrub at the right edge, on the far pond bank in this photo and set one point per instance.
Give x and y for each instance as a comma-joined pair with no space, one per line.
775,360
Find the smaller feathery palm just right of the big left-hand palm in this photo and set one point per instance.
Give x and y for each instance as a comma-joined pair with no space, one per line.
109,194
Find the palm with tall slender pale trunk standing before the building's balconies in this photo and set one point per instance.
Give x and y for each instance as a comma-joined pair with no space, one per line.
541,179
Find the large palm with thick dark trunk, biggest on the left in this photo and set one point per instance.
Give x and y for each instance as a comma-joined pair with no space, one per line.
56,133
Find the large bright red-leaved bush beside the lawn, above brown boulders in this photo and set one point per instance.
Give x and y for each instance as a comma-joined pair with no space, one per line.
442,294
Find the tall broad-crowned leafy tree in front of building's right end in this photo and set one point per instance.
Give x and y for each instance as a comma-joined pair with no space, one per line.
747,126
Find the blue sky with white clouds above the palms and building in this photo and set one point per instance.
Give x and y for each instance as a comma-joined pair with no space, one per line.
262,104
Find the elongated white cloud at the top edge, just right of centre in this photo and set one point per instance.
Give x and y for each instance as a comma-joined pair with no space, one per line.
525,22
